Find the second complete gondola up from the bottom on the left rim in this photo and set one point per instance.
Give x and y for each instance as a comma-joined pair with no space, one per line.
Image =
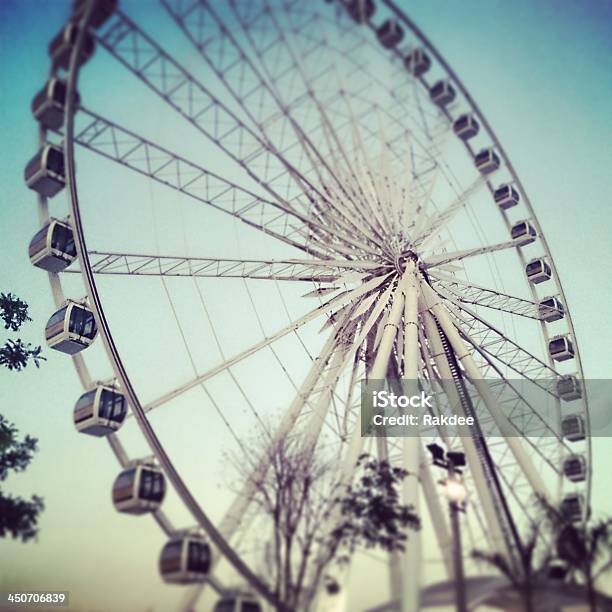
139,489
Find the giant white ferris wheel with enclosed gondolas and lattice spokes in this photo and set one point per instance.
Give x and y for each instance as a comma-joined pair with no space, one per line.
228,166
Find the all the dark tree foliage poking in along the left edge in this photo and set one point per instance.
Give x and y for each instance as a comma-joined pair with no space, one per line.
18,516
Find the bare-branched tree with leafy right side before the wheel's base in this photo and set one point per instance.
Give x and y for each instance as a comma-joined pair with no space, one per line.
300,496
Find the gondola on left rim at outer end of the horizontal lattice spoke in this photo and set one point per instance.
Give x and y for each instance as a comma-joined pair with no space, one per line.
52,247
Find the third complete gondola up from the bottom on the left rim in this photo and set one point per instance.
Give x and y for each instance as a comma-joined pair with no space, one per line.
100,411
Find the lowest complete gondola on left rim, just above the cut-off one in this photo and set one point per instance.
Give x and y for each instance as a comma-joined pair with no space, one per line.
185,559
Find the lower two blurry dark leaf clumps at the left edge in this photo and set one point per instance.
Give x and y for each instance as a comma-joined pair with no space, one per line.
18,516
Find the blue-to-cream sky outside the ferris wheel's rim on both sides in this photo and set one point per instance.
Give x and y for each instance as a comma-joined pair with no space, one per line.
542,74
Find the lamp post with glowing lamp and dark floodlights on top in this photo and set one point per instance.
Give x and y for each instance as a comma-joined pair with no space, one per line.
455,492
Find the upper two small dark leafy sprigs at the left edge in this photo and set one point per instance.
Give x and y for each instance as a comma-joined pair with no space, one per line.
16,354
